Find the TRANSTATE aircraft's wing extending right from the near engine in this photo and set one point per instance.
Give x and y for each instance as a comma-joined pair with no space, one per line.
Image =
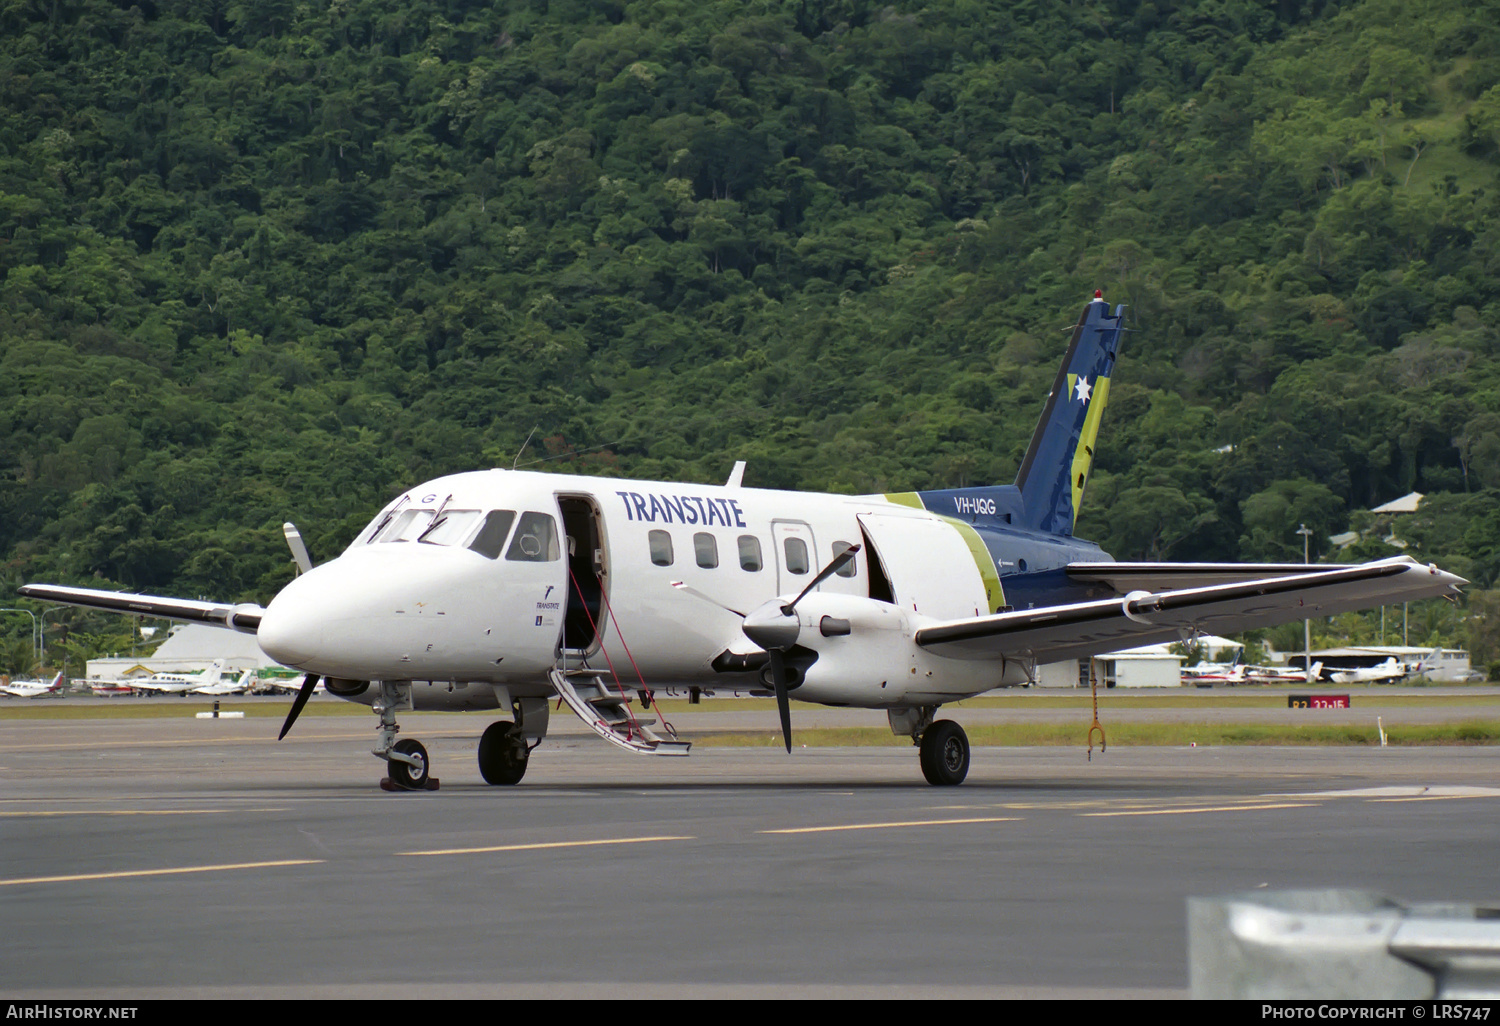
1084,629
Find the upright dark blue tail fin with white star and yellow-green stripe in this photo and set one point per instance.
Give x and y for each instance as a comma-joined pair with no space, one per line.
1061,455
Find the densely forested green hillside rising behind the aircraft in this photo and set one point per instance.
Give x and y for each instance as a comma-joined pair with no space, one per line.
277,260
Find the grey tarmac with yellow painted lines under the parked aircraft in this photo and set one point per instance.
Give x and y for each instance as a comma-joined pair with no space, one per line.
172,857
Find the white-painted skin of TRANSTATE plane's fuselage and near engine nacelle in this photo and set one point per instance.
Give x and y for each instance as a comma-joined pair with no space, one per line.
448,613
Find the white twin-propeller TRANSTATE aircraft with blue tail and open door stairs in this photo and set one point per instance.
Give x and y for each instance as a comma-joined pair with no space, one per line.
502,590
